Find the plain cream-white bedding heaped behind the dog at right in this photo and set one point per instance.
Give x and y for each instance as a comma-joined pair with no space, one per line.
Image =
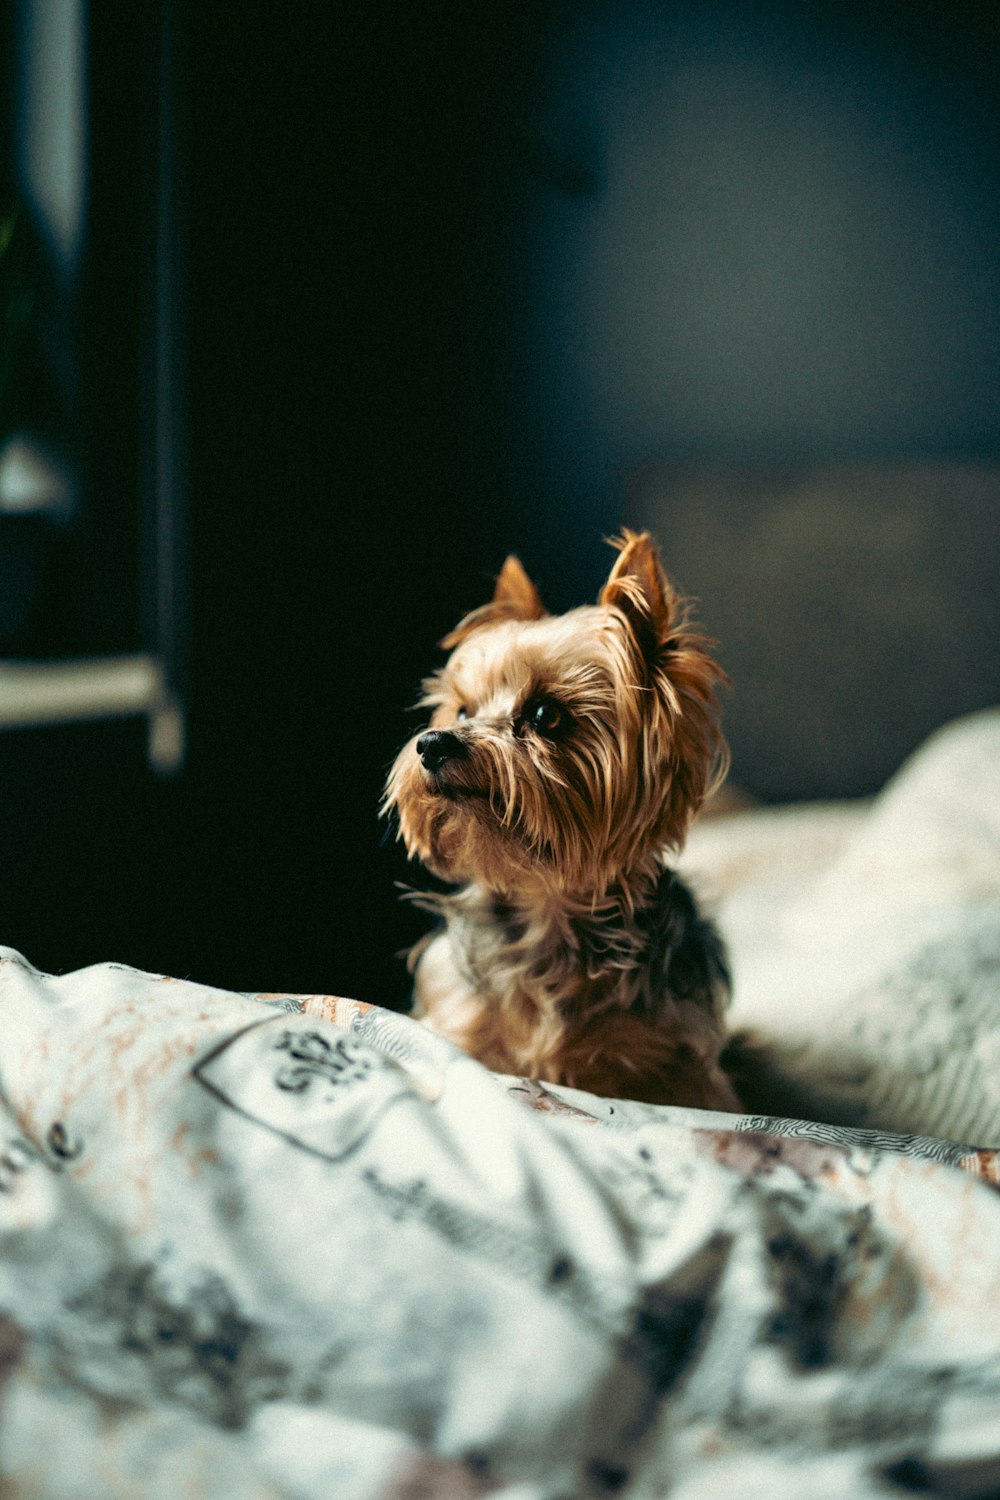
866,943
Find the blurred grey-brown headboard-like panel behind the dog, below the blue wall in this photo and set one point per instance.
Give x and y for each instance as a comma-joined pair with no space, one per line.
855,605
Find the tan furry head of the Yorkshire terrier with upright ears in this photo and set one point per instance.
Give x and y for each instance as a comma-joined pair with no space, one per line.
563,749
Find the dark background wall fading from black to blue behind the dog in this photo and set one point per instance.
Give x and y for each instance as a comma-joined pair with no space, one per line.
454,277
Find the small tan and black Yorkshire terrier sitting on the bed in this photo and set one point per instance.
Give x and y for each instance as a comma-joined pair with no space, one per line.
566,755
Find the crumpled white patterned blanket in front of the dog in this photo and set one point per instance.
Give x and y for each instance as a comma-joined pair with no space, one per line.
299,1247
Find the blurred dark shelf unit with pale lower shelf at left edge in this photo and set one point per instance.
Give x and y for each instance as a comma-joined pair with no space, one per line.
92,446
